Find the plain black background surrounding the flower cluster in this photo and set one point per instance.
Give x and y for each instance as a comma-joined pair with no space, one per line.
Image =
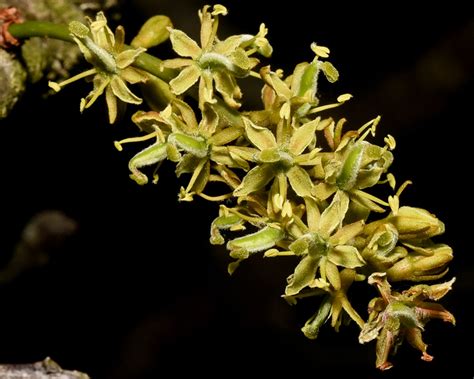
139,291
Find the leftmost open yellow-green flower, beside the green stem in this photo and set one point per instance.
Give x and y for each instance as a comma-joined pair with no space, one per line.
112,62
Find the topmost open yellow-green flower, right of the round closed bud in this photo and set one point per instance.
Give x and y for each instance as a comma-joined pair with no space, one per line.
215,63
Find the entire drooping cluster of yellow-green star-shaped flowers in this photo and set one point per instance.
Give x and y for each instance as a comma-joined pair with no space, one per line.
296,184
